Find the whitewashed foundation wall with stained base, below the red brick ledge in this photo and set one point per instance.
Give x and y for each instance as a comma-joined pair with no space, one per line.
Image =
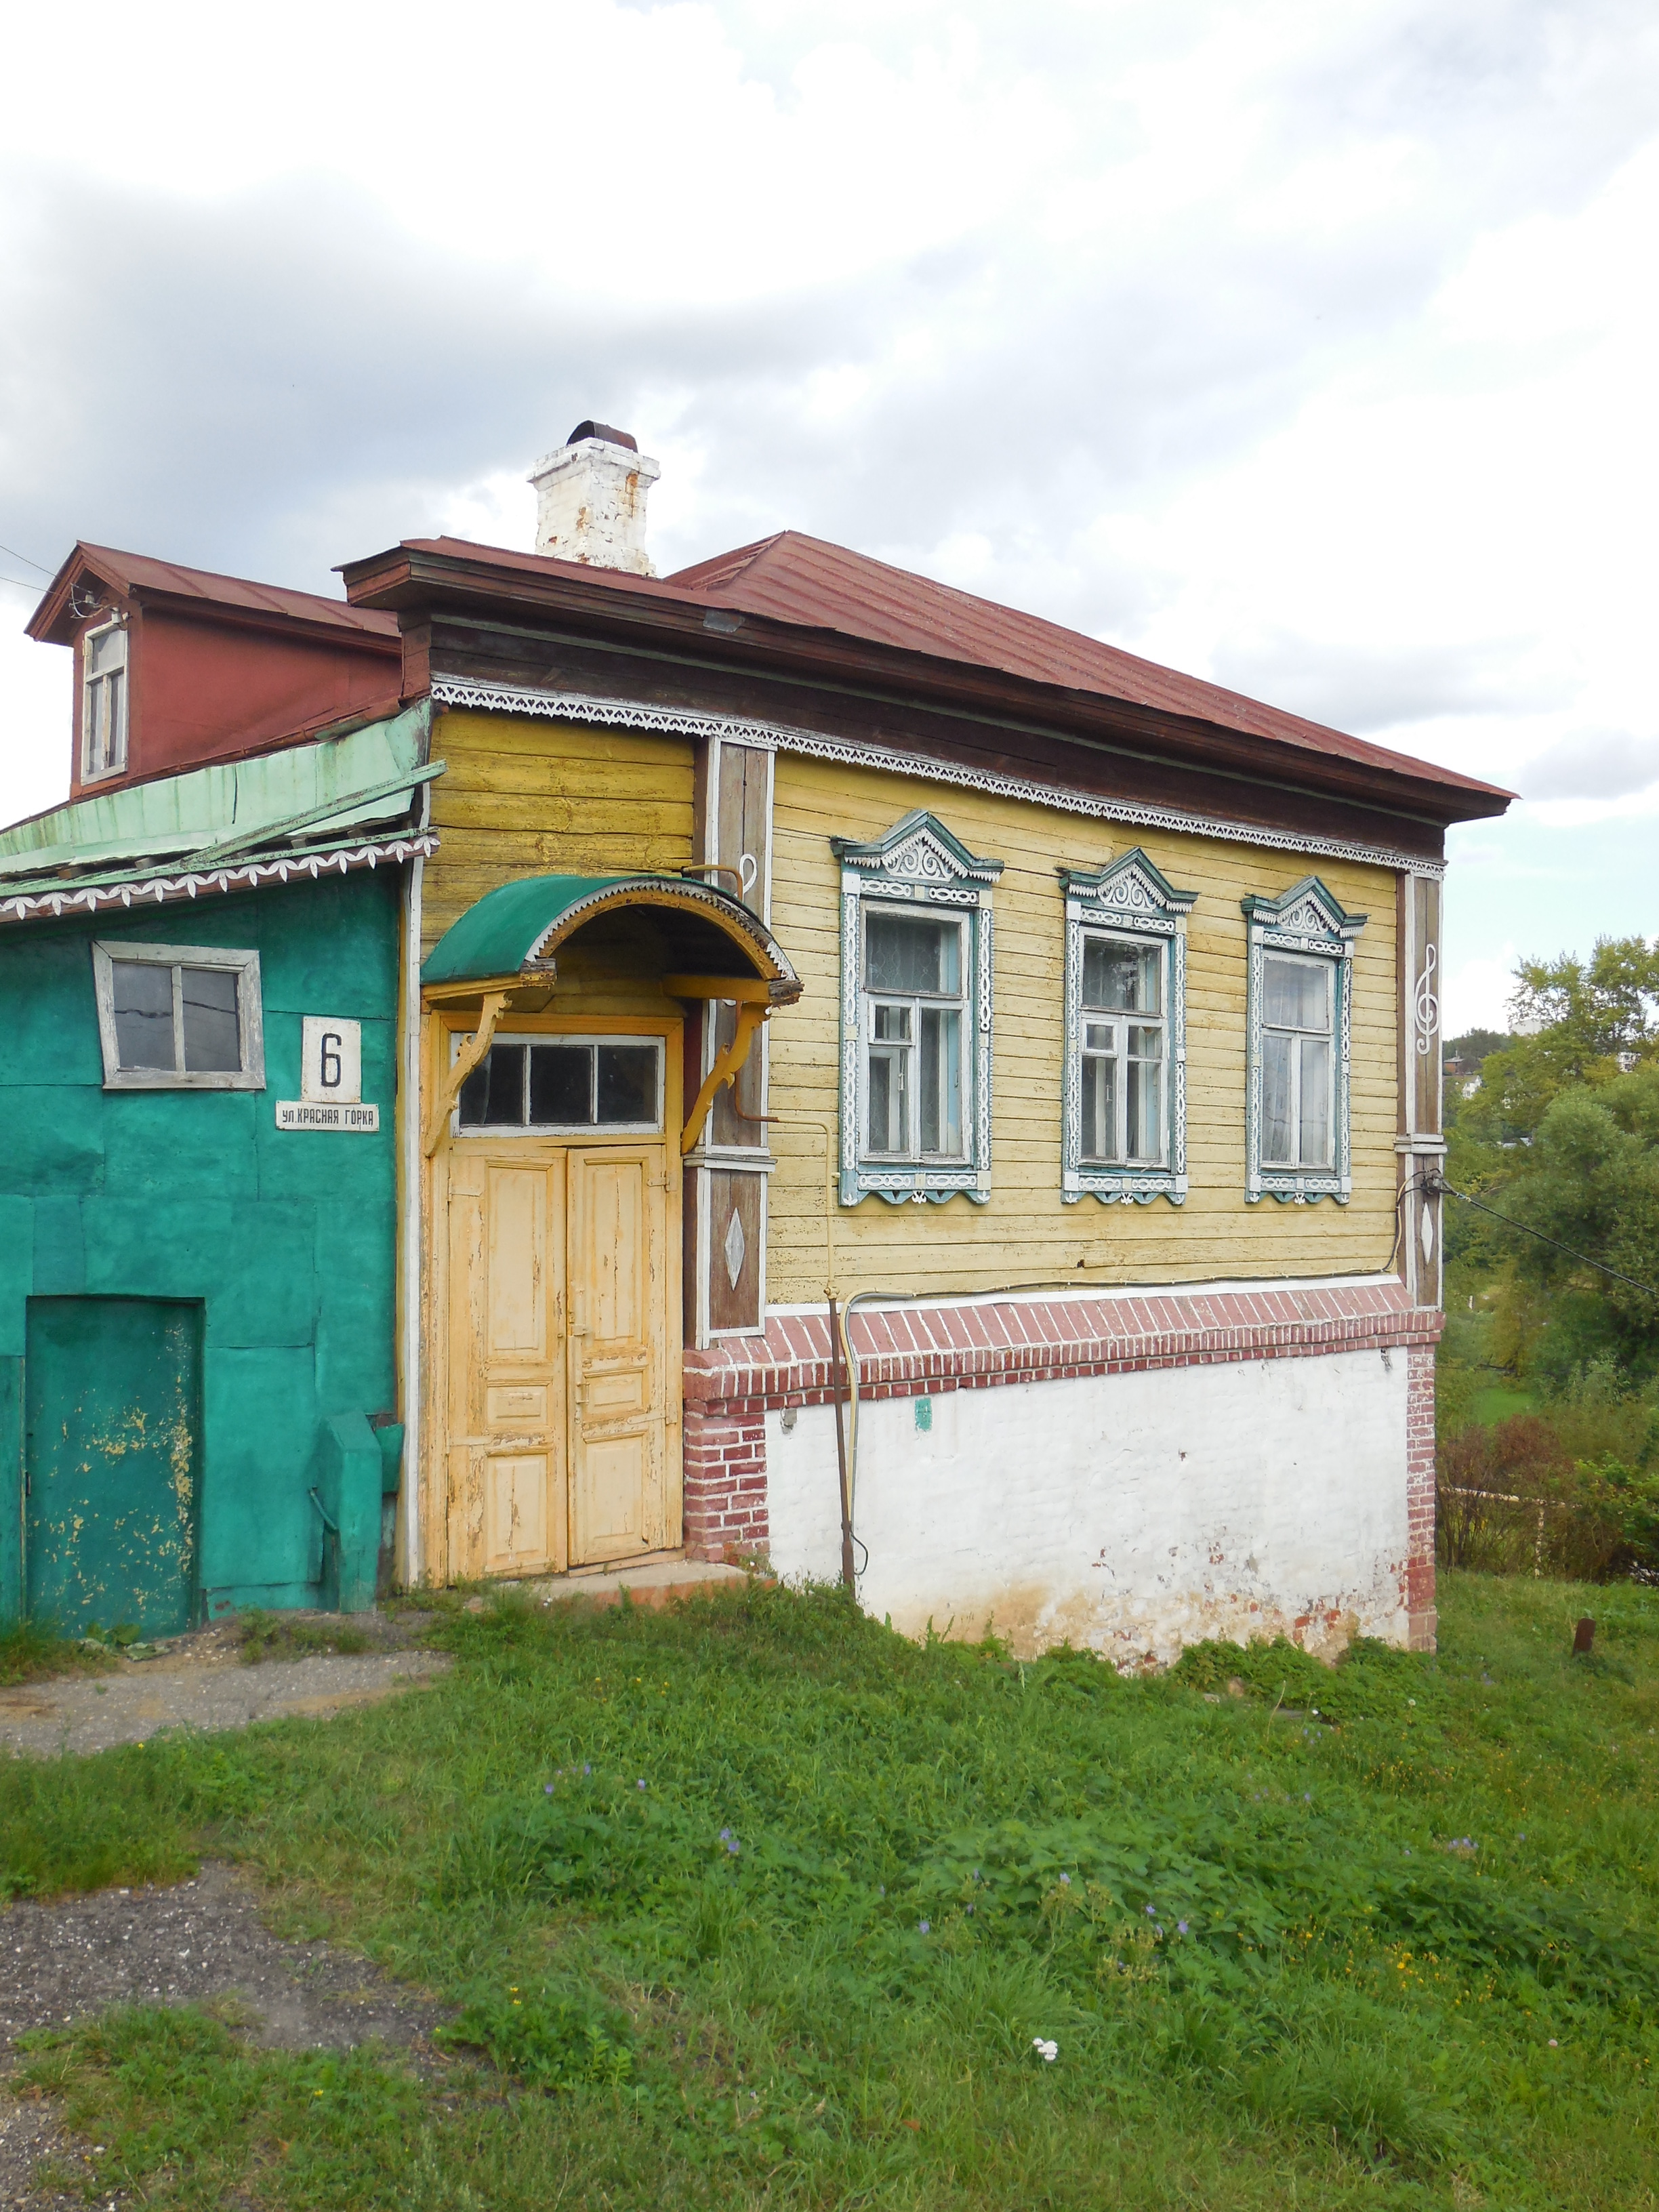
1129,1514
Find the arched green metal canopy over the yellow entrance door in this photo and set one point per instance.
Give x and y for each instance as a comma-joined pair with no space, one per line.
523,921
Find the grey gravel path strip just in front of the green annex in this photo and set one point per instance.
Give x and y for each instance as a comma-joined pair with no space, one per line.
87,1713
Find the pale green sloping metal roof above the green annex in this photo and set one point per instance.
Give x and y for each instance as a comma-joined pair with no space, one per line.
304,793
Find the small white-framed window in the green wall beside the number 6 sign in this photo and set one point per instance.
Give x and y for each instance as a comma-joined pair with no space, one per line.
180,1019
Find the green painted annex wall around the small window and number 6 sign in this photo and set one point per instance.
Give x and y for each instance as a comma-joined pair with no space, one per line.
289,1238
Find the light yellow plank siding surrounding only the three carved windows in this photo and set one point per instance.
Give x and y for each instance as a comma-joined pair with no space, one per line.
1025,1233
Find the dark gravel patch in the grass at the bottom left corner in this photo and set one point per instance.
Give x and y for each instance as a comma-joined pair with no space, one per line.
185,1945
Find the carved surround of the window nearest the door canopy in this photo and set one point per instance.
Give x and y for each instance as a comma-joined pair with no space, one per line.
917,866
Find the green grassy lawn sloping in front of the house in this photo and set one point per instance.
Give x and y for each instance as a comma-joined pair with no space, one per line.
758,1906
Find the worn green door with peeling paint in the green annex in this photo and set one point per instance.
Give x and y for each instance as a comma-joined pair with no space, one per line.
114,1463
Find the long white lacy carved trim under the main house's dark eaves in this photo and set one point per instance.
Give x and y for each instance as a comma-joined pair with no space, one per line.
780,738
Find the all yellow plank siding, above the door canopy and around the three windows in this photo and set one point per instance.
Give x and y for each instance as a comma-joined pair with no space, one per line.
536,797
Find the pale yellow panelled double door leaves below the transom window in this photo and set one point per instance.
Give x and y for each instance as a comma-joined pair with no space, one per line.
563,1404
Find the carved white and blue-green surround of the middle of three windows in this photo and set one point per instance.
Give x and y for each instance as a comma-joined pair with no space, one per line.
1129,901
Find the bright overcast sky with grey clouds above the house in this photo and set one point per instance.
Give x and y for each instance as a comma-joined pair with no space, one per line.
1300,346
